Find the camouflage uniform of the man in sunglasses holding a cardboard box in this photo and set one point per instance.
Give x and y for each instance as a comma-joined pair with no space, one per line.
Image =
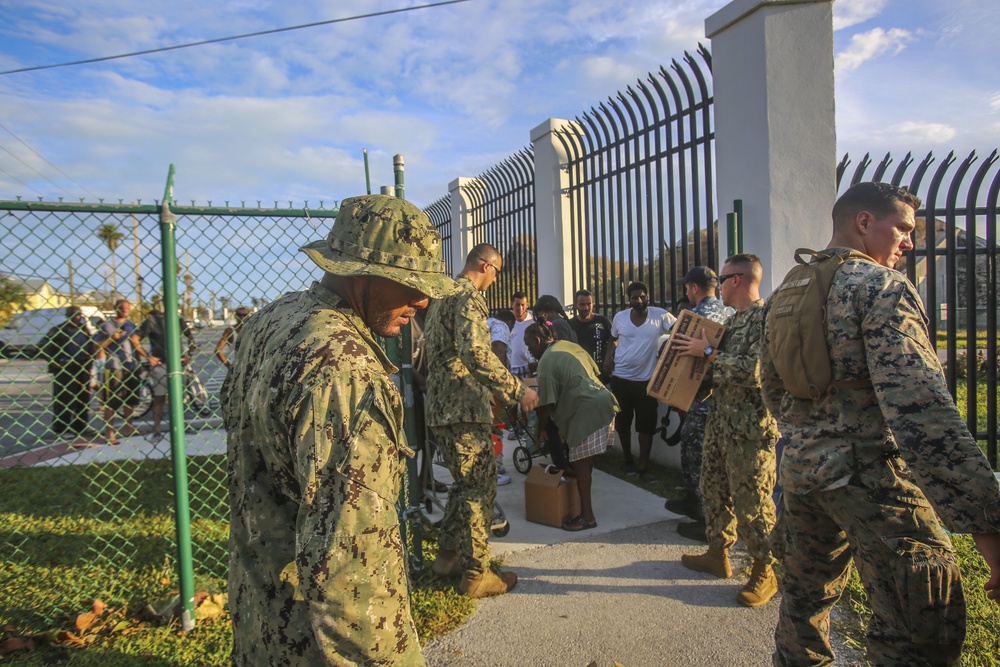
738,467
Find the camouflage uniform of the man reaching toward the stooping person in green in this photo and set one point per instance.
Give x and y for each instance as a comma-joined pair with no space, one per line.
461,372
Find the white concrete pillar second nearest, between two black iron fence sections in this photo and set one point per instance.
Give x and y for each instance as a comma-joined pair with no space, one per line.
552,208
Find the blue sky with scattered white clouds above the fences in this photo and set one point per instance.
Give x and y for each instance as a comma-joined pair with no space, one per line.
454,89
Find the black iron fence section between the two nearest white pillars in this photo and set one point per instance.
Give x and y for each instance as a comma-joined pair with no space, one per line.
642,185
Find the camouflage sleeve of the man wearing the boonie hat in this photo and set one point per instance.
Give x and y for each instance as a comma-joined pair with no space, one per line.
349,565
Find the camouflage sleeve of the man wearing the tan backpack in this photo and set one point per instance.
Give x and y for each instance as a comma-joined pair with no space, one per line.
932,438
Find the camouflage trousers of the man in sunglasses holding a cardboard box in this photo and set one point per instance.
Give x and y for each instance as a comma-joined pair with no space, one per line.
737,478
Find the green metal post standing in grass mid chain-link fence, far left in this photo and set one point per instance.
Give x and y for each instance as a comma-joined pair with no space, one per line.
168,224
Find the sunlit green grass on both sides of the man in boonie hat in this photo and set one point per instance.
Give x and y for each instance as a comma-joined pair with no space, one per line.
72,534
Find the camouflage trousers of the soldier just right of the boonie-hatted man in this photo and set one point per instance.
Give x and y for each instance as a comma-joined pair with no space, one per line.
467,450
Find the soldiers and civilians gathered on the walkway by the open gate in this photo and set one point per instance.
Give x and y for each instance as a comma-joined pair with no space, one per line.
876,468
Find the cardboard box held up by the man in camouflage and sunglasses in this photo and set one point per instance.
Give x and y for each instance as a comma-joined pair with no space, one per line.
677,378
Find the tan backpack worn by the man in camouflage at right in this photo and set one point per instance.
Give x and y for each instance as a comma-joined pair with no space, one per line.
796,343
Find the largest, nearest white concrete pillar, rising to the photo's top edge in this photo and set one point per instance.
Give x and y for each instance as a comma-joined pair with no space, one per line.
775,134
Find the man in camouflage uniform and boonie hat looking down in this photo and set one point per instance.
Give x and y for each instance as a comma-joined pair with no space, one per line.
316,450
